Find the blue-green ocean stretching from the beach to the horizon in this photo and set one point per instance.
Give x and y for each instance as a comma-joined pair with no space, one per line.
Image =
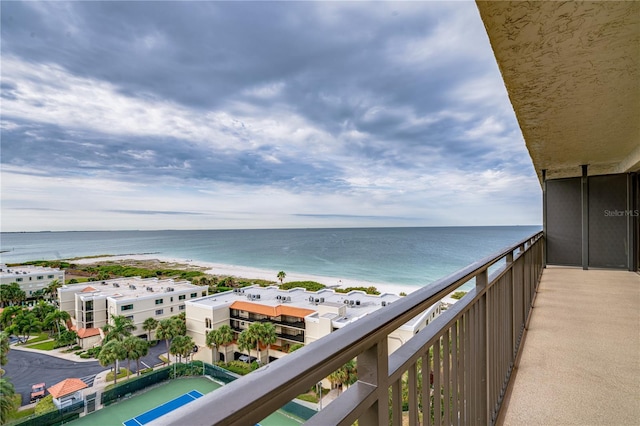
406,256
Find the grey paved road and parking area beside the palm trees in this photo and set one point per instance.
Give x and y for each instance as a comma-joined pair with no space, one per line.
26,368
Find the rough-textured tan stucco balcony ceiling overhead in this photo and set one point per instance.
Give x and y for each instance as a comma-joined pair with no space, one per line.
572,73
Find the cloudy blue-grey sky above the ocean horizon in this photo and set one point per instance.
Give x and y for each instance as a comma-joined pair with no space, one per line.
144,115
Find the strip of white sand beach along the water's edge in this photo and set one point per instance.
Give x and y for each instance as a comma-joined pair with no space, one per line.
263,274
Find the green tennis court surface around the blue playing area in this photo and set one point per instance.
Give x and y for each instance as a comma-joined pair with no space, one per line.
116,414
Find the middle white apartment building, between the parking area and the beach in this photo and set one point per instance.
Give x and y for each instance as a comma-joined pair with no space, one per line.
91,305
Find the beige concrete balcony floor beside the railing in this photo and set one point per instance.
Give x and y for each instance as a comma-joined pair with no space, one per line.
580,363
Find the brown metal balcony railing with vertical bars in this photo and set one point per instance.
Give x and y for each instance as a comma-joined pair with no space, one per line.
455,370
